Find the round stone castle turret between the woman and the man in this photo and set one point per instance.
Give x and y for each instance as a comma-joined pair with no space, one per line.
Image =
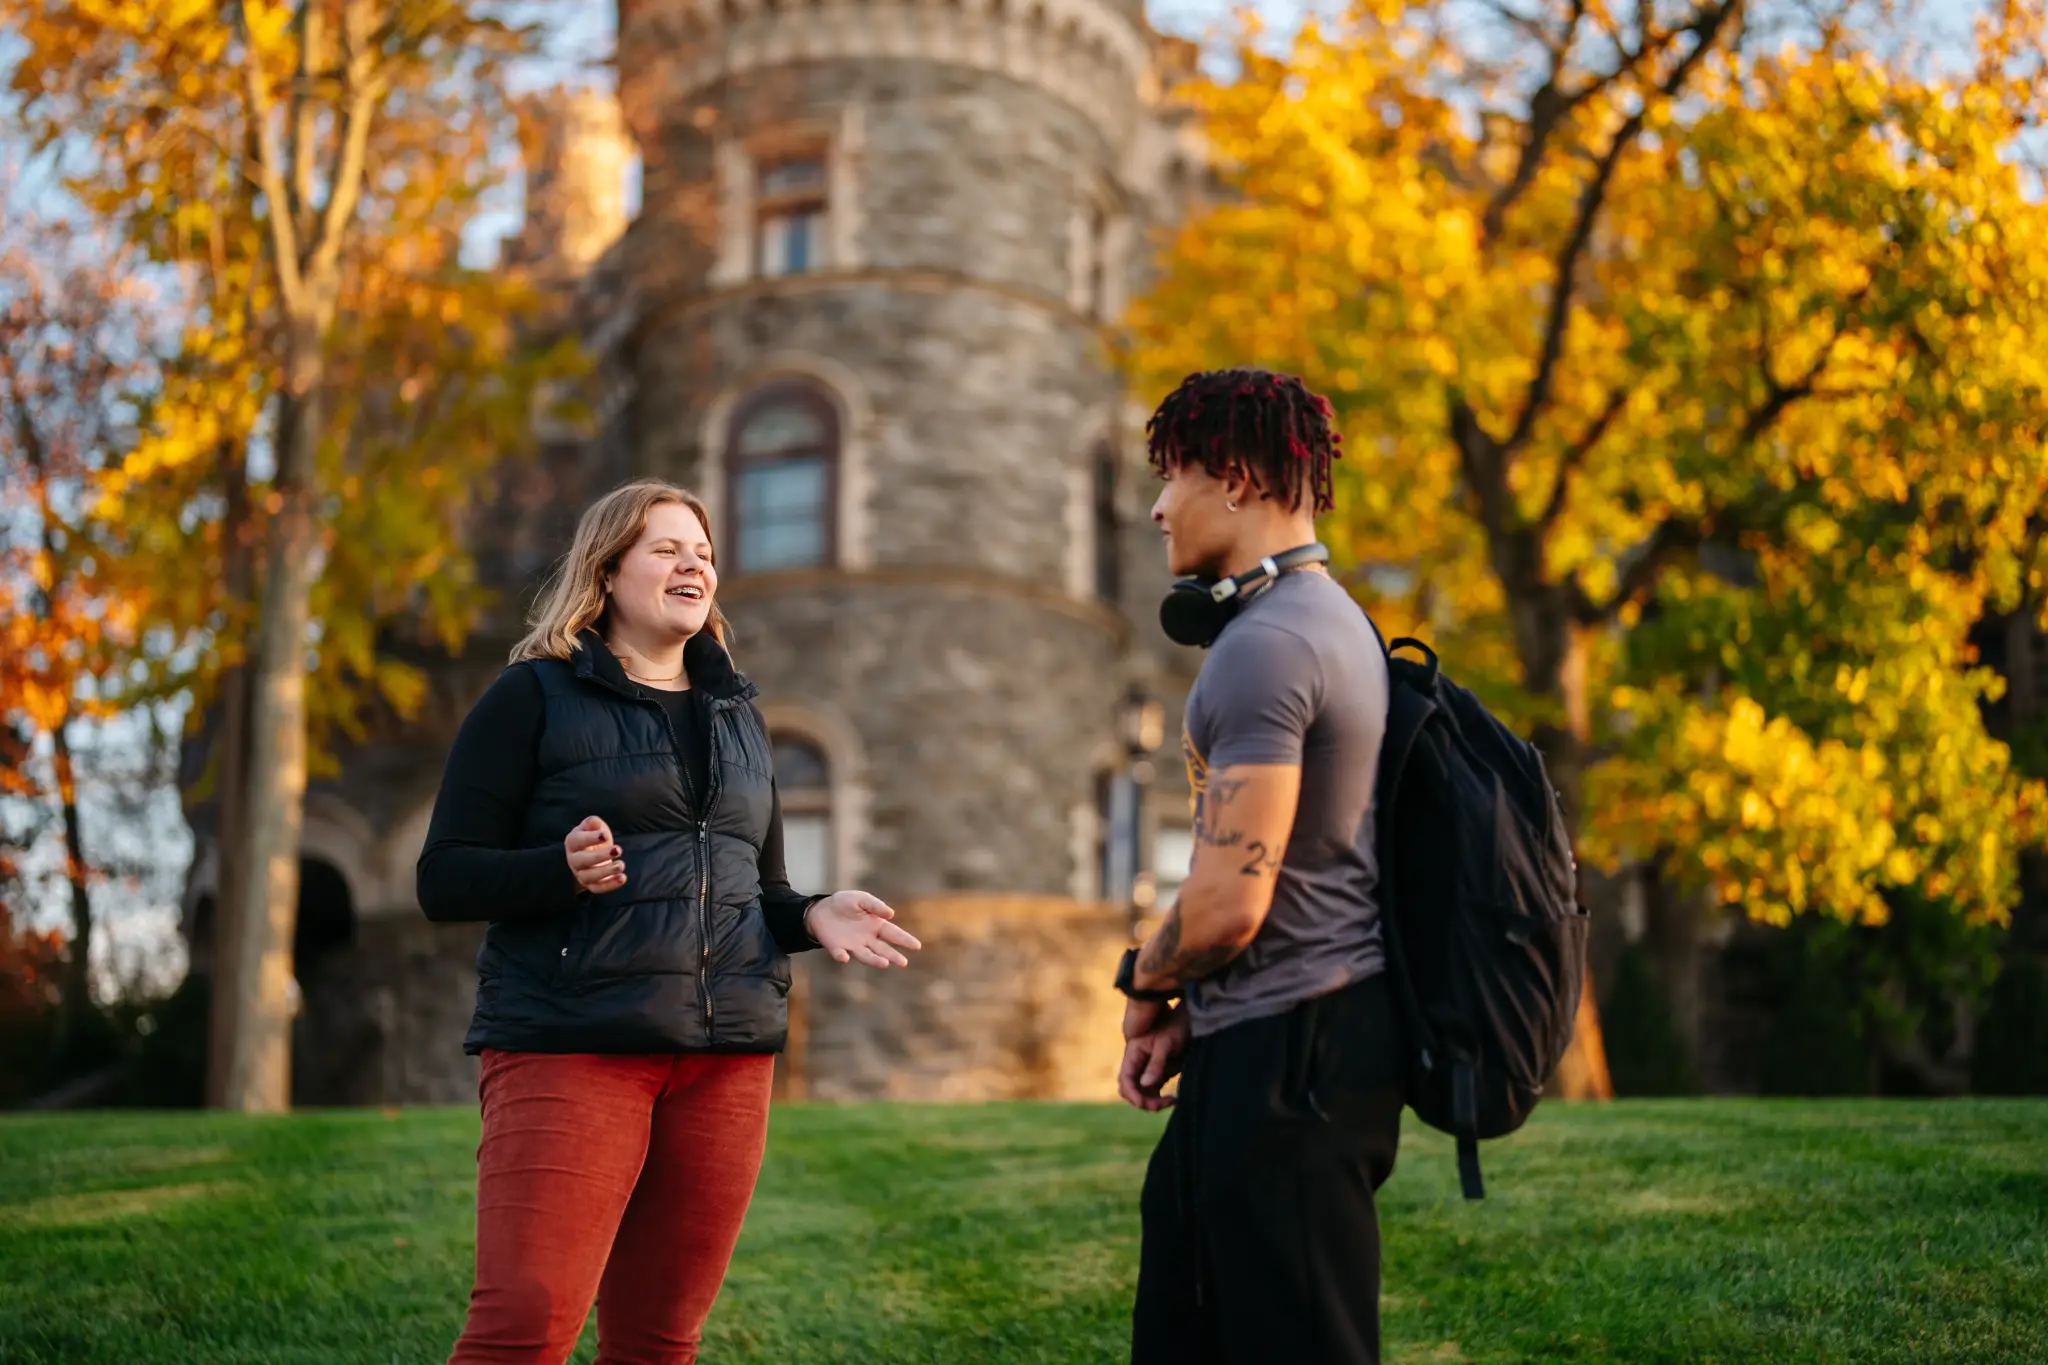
878,253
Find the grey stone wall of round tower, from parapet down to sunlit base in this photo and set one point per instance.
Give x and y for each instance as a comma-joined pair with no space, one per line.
982,697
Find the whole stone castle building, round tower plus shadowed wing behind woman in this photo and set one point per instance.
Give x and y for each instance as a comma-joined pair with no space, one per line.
863,310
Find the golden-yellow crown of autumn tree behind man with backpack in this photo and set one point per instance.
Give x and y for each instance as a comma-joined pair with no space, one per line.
1689,359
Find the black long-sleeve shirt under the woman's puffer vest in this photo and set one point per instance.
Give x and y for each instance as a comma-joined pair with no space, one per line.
474,865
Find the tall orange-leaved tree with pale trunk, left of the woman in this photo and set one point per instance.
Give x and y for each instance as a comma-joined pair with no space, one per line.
308,169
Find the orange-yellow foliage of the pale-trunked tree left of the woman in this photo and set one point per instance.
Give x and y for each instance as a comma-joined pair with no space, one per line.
429,382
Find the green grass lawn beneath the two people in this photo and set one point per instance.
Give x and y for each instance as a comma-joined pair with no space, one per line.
1707,1231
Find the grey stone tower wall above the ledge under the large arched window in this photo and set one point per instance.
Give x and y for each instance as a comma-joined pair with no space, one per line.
978,376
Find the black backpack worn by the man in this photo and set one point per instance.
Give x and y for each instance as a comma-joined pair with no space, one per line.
1480,910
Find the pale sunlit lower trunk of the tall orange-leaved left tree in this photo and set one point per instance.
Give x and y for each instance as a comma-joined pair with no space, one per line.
267,846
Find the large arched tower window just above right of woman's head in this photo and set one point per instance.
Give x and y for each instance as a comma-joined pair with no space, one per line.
783,464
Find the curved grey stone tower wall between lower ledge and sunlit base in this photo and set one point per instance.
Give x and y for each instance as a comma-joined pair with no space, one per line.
978,717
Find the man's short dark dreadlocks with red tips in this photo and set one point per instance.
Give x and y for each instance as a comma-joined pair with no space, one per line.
1271,425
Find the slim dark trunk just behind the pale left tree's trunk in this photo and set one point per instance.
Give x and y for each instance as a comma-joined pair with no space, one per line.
230,781
